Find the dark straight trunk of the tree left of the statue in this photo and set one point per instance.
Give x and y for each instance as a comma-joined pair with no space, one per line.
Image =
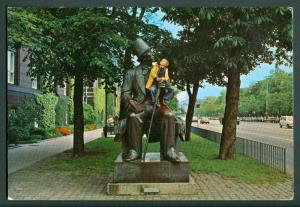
78,144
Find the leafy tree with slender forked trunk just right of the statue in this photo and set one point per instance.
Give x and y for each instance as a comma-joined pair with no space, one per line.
192,54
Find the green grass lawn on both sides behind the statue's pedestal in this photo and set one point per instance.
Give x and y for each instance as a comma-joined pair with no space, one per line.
202,154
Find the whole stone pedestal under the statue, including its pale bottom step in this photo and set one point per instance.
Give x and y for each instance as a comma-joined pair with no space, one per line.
152,176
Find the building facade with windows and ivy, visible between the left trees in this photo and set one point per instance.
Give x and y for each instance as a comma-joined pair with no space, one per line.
20,86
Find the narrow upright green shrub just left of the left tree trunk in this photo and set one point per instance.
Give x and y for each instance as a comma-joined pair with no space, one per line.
61,110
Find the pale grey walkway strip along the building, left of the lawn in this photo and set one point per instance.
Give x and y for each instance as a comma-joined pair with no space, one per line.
29,154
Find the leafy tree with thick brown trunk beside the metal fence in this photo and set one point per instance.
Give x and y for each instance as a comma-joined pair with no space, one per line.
240,52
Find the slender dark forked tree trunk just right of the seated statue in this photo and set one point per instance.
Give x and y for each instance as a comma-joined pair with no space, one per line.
190,110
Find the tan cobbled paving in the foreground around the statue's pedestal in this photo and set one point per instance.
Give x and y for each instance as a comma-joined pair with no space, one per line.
34,184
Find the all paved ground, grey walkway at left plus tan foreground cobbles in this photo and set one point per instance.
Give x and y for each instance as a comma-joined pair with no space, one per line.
28,181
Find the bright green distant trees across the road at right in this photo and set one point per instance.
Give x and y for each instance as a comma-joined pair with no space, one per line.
275,91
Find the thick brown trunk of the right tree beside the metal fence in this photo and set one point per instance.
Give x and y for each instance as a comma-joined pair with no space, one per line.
227,146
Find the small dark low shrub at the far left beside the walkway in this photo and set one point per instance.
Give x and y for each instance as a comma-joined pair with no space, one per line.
16,134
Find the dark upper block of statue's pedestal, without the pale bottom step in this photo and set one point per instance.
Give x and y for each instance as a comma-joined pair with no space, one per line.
152,170
